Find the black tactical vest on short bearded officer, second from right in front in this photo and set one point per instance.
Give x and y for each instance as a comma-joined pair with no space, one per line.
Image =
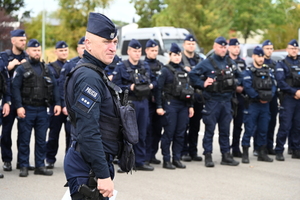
262,83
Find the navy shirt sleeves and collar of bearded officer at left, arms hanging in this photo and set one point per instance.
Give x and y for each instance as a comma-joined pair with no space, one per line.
18,81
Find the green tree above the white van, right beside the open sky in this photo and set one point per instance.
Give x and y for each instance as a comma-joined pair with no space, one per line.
146,9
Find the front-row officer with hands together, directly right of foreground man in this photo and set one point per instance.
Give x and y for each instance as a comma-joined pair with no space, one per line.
135,75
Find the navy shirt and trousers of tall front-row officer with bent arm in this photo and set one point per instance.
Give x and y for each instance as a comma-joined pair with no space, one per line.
217,108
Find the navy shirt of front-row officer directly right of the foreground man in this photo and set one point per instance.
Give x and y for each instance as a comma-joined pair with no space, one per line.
123,78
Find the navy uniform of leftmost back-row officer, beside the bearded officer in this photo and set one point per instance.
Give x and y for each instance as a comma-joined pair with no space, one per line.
8,121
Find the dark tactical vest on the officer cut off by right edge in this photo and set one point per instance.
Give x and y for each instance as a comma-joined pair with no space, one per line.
294,77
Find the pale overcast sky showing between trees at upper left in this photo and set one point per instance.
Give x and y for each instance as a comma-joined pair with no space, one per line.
119,10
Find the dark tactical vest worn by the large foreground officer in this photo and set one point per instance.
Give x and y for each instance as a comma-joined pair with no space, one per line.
109,126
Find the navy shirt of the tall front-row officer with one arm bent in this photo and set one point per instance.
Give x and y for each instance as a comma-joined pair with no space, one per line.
206,69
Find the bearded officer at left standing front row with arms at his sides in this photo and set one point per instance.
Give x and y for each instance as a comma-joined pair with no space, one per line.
33,90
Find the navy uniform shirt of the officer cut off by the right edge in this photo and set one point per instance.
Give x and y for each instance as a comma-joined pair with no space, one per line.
282,72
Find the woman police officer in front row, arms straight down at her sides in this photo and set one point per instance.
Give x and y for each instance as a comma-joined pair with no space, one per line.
175,107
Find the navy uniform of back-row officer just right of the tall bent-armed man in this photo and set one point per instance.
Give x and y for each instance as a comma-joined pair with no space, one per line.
238,119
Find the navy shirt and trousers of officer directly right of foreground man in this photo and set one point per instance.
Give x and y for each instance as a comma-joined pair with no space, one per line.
124,79
